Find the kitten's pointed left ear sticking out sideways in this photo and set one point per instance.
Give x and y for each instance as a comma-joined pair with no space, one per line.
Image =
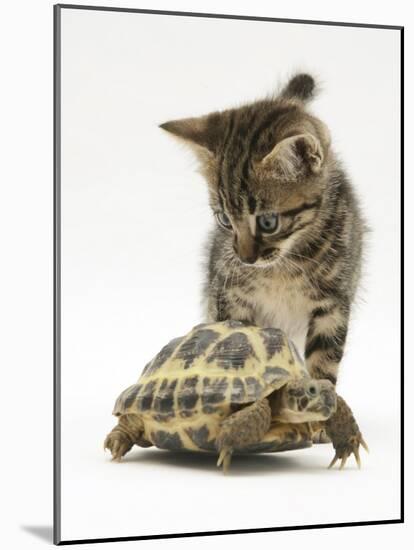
203,131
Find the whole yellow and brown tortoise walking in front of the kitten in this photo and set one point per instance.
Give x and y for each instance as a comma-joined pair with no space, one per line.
231,387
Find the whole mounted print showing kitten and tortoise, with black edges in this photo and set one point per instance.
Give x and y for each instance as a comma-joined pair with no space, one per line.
227,274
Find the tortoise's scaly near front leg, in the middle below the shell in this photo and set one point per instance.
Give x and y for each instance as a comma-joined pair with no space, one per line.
241,429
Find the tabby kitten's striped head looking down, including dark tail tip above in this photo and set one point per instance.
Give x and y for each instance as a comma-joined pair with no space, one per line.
265,164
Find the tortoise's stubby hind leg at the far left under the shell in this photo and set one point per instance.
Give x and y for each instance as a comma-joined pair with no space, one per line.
128,432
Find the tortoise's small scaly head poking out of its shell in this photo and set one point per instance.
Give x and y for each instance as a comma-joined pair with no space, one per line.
305,400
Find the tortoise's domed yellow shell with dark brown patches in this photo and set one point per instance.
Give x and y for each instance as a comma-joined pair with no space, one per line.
197,380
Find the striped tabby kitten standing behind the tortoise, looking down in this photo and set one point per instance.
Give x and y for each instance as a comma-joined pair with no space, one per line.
286,251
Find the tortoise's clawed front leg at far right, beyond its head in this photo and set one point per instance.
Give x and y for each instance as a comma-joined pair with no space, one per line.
344,433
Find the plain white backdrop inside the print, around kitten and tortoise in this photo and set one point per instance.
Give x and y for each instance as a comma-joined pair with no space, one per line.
134,218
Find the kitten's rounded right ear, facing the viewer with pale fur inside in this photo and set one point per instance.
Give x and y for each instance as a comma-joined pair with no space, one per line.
294,158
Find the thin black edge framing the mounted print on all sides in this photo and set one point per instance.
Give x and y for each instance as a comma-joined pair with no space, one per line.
57,9
